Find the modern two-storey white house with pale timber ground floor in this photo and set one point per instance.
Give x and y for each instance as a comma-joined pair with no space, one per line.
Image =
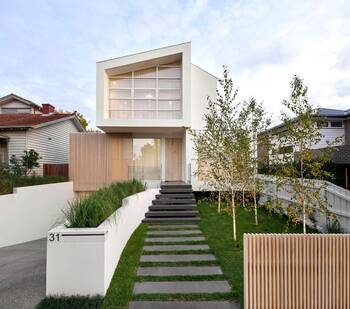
146,104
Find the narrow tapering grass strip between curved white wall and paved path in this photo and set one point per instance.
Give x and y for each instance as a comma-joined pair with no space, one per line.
120,290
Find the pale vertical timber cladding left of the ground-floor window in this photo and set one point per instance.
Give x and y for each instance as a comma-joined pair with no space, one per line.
97,159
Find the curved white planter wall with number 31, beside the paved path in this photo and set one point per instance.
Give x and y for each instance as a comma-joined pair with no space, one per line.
82,261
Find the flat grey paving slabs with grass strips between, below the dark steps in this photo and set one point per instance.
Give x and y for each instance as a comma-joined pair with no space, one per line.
167,258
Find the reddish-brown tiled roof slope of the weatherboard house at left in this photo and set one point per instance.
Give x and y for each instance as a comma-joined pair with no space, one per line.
29,120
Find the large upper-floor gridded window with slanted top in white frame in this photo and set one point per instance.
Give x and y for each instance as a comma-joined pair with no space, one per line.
152,93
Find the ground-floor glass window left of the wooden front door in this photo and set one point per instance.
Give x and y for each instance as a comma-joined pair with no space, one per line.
146,159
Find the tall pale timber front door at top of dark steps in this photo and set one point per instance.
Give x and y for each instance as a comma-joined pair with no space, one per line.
173,159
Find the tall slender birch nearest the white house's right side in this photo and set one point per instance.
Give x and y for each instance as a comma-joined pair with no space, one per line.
221,145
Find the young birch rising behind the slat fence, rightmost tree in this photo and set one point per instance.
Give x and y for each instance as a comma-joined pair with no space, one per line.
302,125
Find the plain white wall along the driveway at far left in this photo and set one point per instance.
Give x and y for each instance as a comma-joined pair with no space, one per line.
30,212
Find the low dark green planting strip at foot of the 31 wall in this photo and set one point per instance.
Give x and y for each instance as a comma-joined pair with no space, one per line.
70,303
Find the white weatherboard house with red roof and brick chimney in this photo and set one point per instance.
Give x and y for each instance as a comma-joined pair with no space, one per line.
25,125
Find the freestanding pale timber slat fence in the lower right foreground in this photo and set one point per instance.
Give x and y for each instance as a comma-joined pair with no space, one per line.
297,271
